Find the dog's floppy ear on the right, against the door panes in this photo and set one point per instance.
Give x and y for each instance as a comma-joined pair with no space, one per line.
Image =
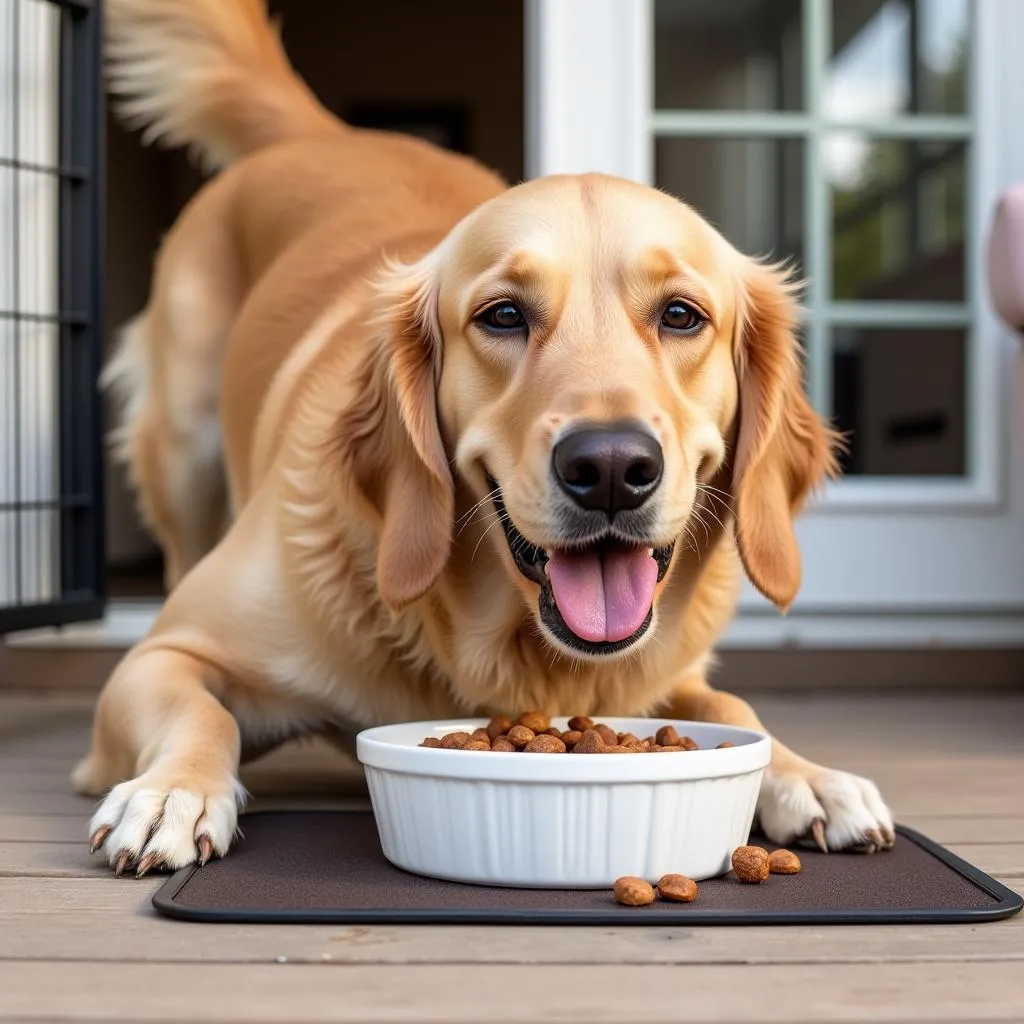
785,449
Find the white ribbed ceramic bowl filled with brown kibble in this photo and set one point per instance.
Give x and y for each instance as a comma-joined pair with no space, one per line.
563,821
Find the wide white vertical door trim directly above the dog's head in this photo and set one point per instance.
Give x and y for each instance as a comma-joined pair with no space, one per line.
588,88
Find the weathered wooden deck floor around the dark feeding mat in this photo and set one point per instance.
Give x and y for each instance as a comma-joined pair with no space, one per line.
78,945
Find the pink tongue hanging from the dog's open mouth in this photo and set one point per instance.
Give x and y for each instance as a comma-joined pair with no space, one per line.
604,596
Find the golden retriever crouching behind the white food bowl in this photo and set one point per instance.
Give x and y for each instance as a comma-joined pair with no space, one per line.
417,445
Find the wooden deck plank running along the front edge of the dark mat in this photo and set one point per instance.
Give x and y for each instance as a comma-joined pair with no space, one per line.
62,919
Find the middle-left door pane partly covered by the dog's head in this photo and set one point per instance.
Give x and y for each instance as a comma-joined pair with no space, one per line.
751,190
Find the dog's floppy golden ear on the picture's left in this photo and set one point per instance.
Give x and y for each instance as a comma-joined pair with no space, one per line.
403,466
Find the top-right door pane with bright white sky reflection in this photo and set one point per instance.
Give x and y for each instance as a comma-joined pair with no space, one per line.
898,57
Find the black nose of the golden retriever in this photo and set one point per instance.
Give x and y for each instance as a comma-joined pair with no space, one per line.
609,470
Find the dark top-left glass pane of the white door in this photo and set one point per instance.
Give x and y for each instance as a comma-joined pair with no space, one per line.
730,55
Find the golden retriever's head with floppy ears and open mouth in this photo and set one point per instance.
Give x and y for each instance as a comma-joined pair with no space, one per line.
587,355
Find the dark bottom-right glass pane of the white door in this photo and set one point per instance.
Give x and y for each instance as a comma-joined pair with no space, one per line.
900,396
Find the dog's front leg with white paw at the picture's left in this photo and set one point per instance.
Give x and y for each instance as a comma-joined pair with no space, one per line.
160,730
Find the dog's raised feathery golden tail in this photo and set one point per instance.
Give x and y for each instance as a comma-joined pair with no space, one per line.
208,74
